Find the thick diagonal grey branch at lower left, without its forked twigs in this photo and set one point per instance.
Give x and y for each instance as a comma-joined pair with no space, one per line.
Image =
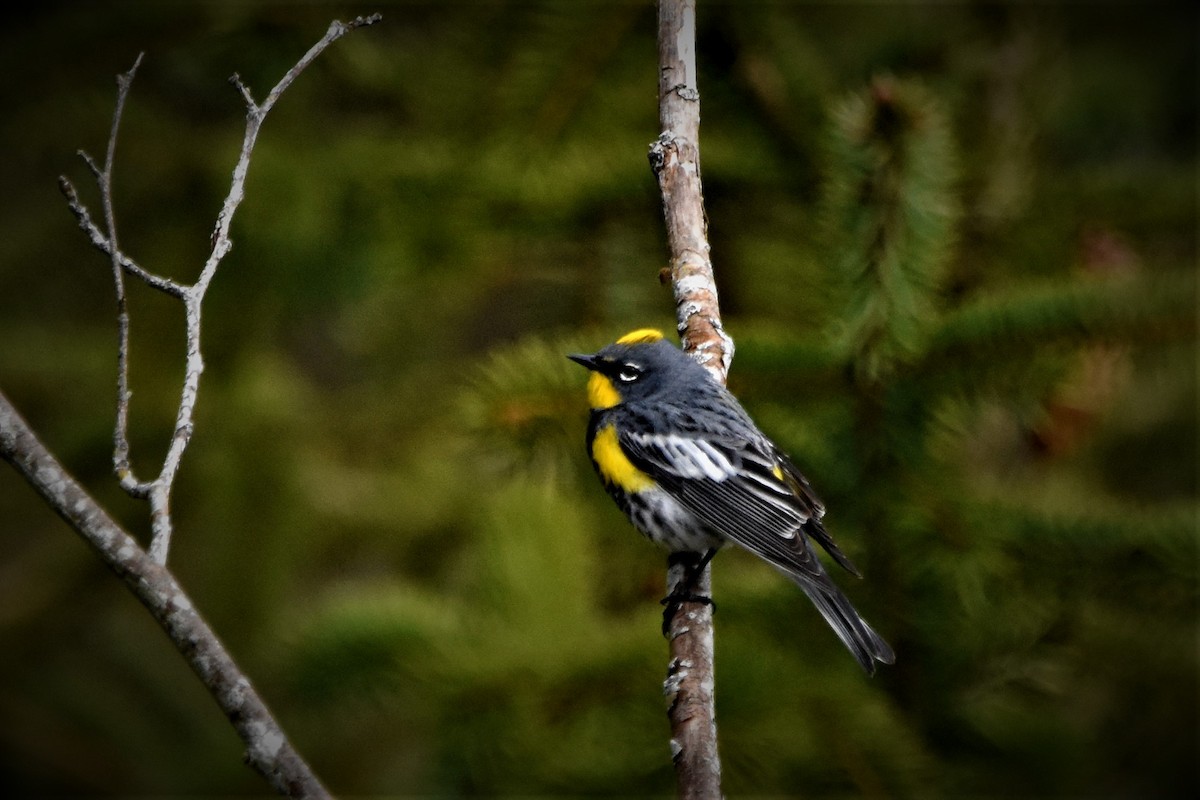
268,751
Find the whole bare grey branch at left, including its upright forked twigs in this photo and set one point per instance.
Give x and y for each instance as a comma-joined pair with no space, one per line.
268,750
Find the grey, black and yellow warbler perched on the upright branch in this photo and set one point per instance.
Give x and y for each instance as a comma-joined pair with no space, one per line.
683,460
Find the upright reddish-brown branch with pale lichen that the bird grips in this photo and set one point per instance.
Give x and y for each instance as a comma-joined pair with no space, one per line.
675,159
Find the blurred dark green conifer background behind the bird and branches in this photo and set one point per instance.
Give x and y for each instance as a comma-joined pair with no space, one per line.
957,249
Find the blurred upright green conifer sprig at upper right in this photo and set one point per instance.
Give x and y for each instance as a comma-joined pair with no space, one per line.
890,213
